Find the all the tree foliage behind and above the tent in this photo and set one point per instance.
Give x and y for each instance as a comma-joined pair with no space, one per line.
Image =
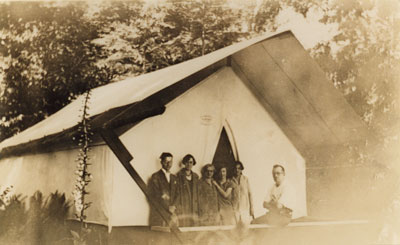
53,52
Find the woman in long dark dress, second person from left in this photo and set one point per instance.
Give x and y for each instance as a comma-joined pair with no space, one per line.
188,206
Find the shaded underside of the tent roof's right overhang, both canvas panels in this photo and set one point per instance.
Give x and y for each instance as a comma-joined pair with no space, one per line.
291,86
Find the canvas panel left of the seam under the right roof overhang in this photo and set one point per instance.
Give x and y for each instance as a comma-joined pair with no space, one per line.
288,103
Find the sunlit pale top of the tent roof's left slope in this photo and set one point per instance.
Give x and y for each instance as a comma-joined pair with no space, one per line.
122,93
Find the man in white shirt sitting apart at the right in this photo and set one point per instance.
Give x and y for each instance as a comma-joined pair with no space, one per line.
280,200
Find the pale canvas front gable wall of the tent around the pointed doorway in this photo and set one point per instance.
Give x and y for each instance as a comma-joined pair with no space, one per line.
192,124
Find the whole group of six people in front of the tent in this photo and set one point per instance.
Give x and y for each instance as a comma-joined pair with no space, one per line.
213,199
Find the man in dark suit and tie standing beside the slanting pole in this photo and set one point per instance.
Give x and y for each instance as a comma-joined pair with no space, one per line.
163,187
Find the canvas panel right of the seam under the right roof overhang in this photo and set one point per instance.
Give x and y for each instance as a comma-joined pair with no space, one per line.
309,80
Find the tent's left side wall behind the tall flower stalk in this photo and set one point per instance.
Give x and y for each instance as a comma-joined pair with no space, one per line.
51,172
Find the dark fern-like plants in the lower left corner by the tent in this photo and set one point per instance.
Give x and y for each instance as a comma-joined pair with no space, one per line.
42,223
